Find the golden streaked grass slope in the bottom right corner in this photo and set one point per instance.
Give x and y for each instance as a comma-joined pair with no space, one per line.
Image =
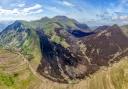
115,77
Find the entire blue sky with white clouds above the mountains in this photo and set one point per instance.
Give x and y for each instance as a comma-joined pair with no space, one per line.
87,11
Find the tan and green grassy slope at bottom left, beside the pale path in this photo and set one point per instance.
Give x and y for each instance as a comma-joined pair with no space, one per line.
15,73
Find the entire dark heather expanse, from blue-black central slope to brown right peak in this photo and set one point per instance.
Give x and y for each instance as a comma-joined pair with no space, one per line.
84,56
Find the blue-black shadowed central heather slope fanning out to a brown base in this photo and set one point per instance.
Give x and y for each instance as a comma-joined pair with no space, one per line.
59,63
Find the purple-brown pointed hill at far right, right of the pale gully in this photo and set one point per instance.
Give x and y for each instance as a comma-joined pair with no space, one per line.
106,45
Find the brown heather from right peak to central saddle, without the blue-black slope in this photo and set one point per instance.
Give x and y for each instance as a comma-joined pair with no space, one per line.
100,48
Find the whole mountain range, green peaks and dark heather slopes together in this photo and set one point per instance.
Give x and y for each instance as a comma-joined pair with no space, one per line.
63,49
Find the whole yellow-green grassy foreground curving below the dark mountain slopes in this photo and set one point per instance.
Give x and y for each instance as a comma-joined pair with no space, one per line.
17,73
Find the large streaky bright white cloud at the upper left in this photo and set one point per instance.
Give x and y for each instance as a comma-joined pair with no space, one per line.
21,12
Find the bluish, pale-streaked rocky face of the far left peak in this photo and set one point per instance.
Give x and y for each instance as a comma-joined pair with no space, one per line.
13,36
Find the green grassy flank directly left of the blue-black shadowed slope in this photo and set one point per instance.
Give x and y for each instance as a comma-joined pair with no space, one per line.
31,48
